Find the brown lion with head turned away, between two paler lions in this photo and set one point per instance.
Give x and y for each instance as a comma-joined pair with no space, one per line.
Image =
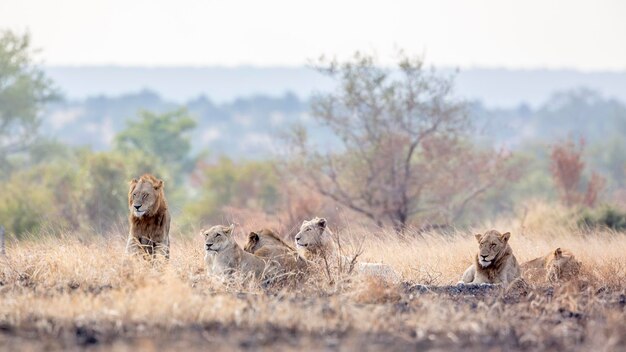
267,244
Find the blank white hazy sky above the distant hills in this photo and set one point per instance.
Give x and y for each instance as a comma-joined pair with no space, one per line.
586,35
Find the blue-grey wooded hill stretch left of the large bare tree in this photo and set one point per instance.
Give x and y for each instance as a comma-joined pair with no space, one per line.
244,127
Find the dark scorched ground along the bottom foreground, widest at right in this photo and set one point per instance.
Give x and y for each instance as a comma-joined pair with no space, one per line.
585,328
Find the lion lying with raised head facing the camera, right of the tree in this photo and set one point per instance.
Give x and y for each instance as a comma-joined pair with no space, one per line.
495,262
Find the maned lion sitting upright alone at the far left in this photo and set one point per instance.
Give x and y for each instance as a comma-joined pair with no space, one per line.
149,218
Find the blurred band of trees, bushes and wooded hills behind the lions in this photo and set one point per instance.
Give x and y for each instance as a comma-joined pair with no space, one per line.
576,157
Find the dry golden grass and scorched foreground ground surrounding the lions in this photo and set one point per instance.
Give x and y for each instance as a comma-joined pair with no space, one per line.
74,292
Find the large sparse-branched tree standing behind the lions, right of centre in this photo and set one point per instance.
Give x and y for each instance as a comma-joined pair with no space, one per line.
402,144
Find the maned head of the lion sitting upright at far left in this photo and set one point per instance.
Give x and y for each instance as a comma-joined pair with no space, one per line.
145,196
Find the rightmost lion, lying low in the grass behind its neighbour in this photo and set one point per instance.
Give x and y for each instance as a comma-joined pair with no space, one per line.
560,265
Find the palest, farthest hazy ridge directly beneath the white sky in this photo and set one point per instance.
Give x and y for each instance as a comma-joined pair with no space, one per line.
493,87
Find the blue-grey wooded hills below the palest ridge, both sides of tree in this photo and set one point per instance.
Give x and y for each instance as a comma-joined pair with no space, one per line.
247,126
